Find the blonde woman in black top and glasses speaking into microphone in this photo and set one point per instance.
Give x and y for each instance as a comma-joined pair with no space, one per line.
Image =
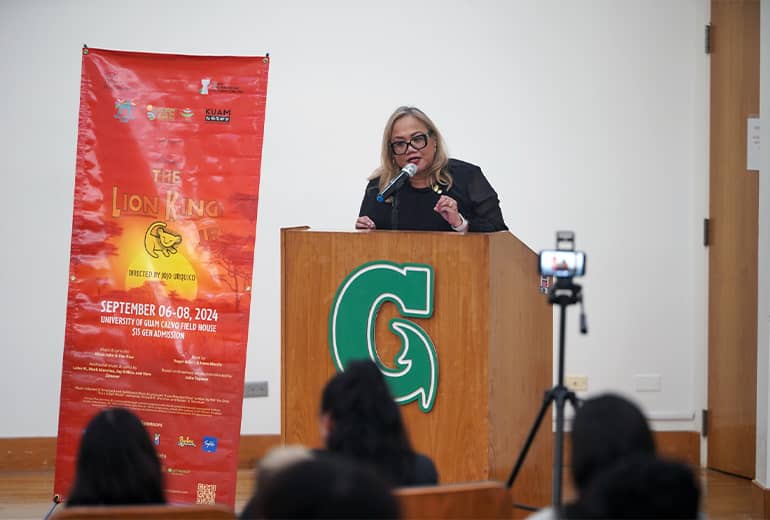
436,193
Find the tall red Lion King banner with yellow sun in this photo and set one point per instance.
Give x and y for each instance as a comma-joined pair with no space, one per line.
165,208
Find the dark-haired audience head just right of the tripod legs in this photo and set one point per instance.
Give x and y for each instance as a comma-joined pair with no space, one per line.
606,429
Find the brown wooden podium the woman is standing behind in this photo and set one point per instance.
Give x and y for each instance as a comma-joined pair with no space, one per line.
492,331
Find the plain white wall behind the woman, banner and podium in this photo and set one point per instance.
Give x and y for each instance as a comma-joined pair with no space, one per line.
587,115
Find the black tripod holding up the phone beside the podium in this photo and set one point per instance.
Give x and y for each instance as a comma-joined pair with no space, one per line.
564,293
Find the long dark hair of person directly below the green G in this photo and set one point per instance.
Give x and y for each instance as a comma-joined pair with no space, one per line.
366,423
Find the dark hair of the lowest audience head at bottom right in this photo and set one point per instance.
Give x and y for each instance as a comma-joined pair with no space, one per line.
642,486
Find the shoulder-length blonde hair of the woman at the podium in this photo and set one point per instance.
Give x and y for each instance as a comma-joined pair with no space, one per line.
438,173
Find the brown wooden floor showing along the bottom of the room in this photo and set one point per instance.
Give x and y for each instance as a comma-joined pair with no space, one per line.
28,494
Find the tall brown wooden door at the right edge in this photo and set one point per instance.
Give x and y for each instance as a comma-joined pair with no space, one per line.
733,208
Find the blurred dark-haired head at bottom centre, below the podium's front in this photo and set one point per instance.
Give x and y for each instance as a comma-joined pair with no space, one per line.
326,486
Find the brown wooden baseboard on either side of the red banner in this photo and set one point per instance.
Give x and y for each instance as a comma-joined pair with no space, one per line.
39,453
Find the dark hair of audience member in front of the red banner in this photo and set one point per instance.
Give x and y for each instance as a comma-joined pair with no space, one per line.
116,463
